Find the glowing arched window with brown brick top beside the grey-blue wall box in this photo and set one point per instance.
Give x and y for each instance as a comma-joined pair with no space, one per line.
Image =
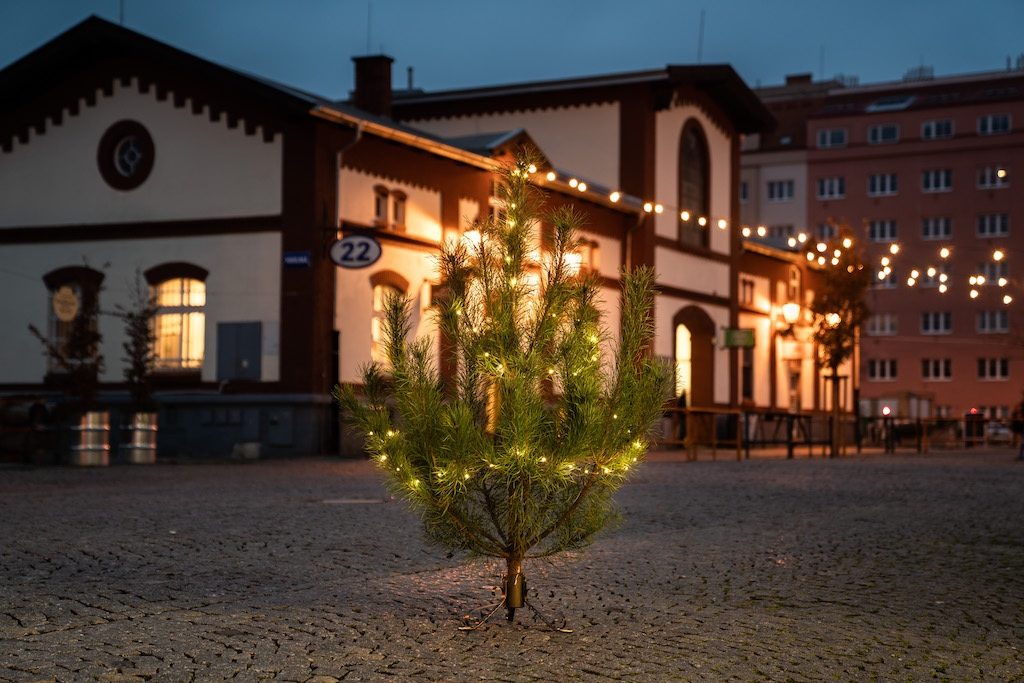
180,326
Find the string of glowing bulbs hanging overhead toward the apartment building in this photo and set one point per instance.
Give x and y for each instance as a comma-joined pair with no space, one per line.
817,253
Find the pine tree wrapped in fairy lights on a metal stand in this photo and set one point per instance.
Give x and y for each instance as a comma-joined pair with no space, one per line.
519,456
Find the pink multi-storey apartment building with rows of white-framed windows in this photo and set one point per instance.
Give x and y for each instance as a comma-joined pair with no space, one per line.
930,174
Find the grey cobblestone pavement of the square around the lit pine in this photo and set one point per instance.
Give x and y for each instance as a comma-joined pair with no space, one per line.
890,569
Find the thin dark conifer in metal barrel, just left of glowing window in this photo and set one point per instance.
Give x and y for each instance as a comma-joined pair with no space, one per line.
140,343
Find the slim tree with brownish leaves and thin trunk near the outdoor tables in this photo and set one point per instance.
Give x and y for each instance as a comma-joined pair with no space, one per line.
840,311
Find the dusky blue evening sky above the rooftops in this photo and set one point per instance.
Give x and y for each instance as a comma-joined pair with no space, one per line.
466,44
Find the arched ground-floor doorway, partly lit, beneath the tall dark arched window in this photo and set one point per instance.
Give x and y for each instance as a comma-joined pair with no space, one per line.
694,356
